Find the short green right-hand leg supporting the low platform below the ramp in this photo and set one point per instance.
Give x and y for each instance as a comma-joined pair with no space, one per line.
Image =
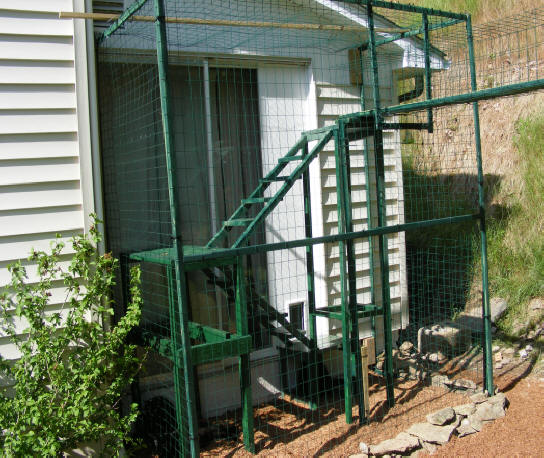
244,366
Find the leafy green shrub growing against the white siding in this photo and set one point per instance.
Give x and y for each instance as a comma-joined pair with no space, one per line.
66,387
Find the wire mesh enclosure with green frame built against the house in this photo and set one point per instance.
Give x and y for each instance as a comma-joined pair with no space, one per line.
301,184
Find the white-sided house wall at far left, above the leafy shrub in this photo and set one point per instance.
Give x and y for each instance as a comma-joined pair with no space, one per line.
46,183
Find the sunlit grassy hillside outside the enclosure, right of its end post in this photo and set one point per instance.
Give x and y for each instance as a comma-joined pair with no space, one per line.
513,155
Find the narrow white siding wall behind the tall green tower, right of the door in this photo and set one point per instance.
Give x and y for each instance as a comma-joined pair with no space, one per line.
334,100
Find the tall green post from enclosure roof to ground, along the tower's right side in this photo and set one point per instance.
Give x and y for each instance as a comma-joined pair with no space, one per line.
383,244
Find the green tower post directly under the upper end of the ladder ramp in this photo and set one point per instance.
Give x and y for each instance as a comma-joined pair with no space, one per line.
352,279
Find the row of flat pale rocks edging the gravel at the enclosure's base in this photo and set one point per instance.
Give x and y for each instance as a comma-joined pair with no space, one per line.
461,420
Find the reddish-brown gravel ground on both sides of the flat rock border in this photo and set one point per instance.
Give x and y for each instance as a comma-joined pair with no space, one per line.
281,431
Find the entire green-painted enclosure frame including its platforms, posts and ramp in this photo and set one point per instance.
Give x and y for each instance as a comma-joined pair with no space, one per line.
214,344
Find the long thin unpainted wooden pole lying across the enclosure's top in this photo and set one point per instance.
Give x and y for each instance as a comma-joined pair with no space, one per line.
224,22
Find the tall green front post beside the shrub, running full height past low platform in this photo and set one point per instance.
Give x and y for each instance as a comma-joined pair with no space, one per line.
181,286
